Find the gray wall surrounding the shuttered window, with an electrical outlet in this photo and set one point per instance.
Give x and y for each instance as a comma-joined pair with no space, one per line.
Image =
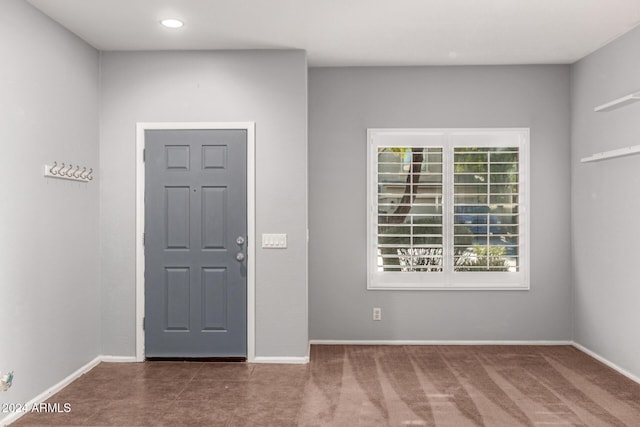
343,103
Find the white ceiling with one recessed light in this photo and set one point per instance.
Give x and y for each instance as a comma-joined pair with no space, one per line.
359,32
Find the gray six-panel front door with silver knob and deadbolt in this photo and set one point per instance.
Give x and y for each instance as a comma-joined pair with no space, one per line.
195,243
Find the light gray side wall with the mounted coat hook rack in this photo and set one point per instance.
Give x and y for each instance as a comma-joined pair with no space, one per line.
49,259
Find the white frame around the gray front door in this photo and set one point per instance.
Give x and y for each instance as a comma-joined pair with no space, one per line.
251,241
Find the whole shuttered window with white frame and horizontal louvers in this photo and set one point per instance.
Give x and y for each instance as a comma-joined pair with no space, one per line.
448,208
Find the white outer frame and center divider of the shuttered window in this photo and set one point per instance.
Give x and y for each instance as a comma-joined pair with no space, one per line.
448,139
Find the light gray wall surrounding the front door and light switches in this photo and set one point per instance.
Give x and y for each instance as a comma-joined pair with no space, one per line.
269,88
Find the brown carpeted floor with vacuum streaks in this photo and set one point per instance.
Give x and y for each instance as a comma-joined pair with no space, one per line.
358,386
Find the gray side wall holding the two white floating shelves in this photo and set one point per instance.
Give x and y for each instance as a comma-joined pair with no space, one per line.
606,205
